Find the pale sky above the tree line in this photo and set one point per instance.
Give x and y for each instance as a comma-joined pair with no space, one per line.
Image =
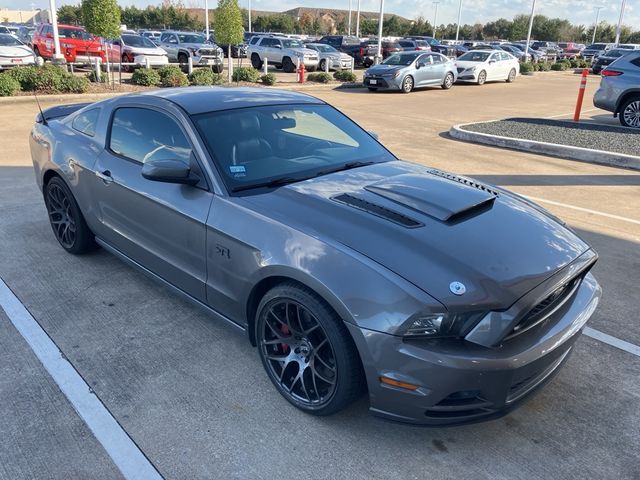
577,11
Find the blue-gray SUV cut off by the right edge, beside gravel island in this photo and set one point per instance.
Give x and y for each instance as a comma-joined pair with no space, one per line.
619,90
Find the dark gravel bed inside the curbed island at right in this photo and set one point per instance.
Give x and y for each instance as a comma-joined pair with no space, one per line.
562,132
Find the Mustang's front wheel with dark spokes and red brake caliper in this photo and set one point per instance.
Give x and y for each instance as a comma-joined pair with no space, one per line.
307,351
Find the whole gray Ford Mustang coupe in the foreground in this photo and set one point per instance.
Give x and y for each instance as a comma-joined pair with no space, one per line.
447,300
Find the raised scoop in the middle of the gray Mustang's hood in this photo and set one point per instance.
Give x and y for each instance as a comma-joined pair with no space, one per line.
438,196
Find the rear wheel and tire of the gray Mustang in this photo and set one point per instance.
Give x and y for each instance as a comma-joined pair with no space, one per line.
66,219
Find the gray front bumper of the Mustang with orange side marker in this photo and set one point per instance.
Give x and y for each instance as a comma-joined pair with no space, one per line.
461,382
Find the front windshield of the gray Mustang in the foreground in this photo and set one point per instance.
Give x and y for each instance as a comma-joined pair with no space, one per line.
284,143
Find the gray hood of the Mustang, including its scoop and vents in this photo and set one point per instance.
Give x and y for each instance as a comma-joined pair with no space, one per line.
430,228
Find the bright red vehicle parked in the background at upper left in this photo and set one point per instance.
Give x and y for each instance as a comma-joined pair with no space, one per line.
76,44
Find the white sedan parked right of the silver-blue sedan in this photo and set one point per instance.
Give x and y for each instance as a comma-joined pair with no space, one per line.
480,66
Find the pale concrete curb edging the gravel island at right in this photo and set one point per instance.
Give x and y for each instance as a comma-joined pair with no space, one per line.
600,157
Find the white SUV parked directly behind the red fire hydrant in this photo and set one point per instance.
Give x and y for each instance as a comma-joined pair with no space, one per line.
283,52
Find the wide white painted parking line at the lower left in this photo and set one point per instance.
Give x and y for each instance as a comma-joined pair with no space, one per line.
123,451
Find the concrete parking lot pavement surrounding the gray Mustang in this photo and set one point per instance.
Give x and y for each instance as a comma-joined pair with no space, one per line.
191,393
